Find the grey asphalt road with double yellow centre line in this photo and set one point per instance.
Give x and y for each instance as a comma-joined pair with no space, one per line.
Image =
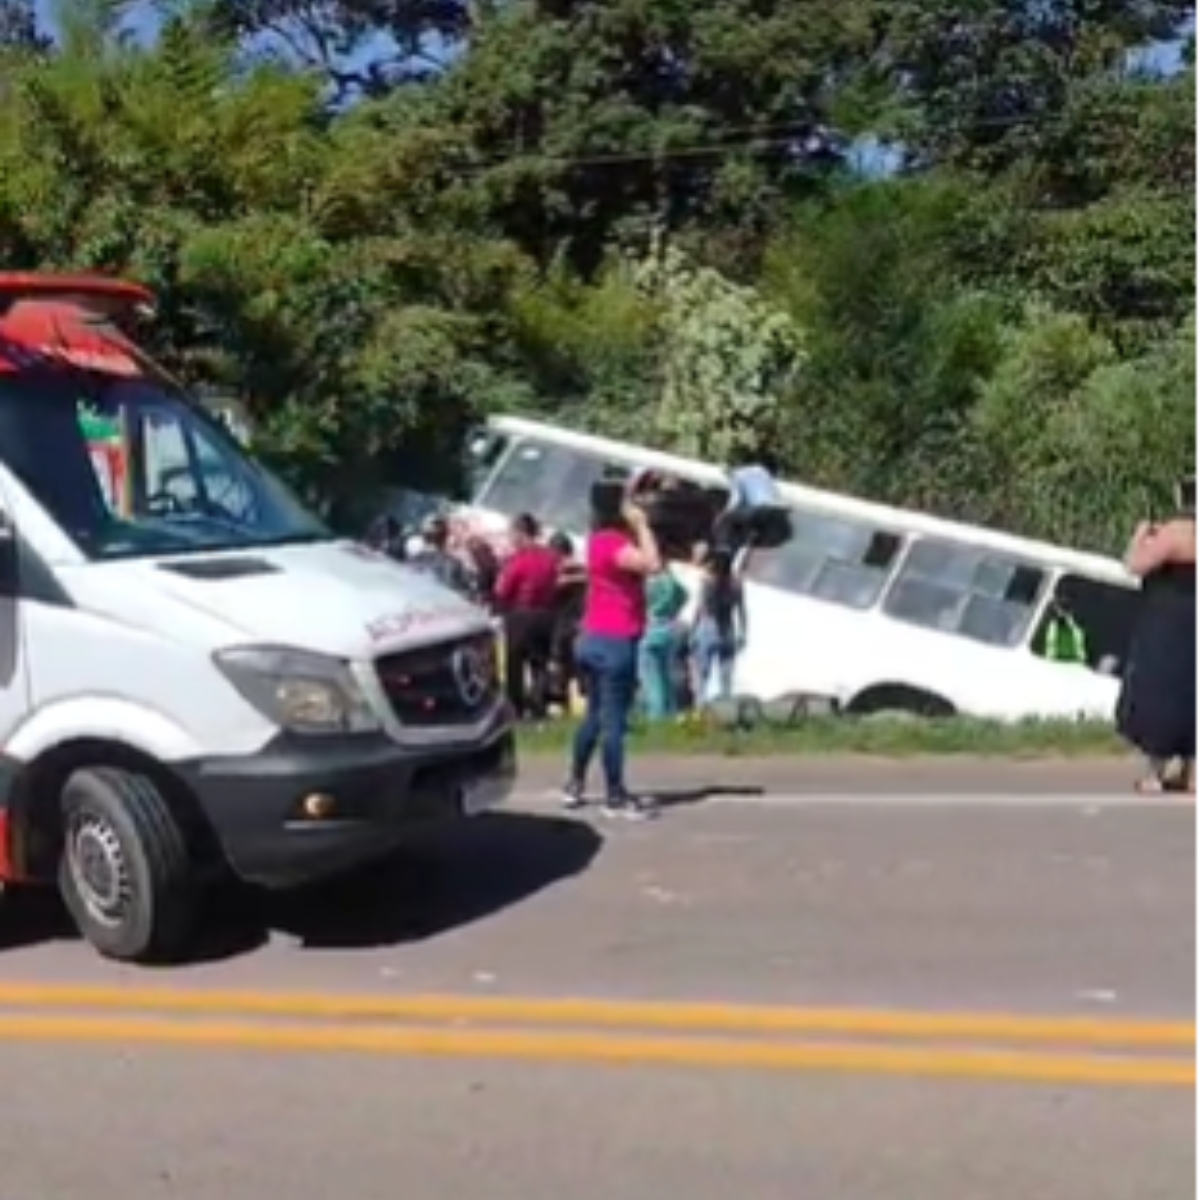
935,997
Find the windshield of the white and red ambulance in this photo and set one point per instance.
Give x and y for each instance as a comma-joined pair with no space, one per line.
128,467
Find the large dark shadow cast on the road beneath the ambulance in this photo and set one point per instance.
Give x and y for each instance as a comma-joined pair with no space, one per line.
443,880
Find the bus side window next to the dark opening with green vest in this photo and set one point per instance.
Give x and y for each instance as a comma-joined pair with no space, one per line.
967,591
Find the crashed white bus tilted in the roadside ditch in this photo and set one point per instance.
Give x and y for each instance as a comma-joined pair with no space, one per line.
881,608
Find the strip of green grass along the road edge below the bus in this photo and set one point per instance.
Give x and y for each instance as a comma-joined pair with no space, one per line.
883,737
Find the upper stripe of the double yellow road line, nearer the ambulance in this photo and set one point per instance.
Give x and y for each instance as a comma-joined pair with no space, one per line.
682,1018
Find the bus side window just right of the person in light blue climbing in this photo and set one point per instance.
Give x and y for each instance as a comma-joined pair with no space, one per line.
829,559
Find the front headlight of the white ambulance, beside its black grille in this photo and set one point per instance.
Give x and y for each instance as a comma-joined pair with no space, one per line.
299,692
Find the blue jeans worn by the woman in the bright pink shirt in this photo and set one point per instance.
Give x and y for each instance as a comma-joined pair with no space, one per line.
609,671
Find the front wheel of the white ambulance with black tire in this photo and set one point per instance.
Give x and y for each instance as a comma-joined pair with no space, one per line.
125,872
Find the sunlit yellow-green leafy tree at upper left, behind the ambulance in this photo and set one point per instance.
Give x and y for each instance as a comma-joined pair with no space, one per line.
339,334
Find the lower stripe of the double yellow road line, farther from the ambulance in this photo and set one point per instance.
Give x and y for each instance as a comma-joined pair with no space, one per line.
590,1048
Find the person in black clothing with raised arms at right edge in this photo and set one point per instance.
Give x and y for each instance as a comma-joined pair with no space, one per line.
1157,710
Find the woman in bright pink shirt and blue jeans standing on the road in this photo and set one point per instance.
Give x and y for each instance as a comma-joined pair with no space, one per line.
622,554
